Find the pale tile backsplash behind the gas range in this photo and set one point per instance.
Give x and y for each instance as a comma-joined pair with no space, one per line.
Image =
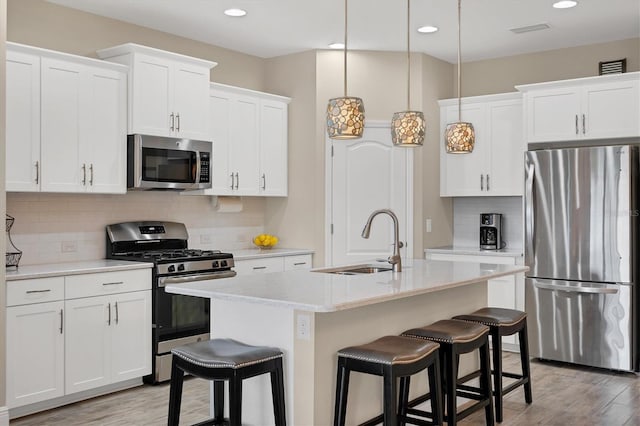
52,228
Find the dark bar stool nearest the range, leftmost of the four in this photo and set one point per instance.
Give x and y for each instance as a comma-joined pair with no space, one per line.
223,360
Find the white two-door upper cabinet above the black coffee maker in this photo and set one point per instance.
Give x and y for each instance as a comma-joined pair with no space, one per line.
495,166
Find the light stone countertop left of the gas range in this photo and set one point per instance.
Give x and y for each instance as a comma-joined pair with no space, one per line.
72,268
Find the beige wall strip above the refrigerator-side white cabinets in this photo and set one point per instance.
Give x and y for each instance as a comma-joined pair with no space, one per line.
502,74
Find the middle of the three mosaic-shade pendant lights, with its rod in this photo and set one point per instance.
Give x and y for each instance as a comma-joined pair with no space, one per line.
407,127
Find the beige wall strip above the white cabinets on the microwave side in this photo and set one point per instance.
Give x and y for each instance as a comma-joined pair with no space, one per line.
43,24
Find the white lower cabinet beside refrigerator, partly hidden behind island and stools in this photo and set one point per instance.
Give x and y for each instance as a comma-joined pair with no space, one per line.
503,292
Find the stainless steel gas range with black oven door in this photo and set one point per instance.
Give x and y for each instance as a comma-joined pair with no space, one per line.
176,319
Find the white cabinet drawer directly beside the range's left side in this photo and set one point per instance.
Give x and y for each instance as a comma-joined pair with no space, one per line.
87,285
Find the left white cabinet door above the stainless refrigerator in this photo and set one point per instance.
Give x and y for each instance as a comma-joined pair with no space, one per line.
553,114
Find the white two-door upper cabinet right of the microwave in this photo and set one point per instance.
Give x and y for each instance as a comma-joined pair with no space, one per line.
249,133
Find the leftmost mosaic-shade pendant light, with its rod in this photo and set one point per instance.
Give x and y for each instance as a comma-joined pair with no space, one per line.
345,115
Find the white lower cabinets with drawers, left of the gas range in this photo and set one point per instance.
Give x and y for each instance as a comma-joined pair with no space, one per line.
74,333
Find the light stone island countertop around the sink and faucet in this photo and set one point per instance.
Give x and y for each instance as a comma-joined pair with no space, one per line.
324,292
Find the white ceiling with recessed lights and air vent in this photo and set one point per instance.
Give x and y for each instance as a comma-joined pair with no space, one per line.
279,27
